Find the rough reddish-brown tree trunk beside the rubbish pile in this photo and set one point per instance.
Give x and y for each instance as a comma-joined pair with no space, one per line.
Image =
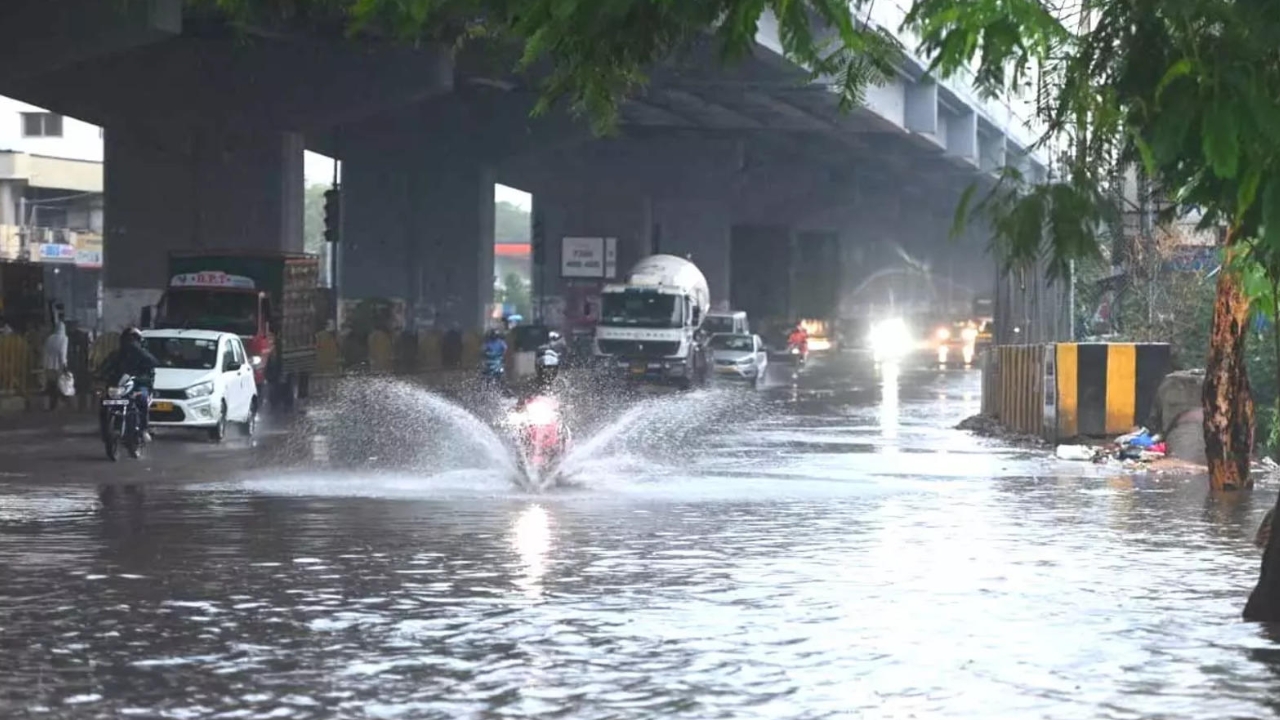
1228,403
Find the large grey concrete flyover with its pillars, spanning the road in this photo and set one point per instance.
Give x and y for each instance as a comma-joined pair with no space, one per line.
207,126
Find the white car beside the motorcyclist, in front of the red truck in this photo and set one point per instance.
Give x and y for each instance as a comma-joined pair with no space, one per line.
205,381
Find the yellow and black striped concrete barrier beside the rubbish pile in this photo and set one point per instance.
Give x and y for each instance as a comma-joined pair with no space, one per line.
1073,390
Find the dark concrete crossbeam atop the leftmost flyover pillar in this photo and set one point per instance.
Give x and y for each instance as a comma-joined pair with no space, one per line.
287,85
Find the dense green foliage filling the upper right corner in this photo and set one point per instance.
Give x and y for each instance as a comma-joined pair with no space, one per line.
1190,90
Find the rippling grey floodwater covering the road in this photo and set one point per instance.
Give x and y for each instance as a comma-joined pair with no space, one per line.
822,550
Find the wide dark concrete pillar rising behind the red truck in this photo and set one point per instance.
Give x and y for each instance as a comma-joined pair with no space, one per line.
193,189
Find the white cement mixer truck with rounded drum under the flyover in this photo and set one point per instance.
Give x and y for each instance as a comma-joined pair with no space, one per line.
651,326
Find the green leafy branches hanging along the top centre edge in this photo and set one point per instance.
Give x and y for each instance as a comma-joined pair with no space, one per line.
597,52
